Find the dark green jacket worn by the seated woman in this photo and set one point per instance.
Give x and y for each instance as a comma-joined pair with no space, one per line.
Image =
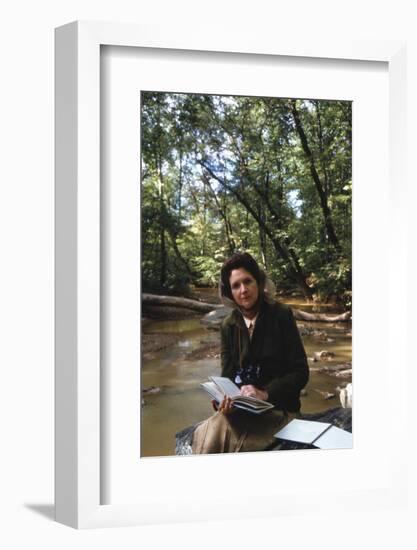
276,347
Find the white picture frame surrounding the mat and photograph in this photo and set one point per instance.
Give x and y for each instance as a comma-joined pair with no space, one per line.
78,298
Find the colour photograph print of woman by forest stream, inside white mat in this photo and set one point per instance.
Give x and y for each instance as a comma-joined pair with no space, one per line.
246,274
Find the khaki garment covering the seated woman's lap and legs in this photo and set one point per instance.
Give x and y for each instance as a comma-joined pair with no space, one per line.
239,431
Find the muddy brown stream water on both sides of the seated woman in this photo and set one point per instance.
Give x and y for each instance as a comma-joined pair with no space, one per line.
181,402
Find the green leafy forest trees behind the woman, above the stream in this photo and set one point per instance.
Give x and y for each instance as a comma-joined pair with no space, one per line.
267,175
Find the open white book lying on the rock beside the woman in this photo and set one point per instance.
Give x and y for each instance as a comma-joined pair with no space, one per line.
319,434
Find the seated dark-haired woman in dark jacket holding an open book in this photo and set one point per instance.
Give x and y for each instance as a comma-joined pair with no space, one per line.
262,352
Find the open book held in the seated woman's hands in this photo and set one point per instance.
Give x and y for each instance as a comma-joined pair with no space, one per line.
218,387
